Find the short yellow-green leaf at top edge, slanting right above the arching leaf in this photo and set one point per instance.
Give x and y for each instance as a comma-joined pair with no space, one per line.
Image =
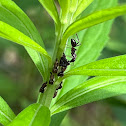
82,5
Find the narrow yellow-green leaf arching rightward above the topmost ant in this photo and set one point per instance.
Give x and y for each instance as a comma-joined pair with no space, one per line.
92,19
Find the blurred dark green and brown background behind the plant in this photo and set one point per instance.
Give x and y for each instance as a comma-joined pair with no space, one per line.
20,79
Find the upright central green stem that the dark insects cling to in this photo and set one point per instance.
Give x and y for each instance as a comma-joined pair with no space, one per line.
46,97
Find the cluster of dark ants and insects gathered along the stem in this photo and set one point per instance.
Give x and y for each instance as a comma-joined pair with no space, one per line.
60,67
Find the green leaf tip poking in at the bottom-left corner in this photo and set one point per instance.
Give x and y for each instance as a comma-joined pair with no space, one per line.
6,114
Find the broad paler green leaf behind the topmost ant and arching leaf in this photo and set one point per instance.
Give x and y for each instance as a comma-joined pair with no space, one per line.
94,39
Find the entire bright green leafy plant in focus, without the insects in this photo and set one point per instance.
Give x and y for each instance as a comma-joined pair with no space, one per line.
92,21
